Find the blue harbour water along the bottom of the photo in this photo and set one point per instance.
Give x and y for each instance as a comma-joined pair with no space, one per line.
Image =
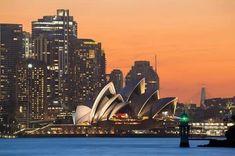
106,147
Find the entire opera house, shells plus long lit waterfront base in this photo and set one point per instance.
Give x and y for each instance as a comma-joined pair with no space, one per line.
134,110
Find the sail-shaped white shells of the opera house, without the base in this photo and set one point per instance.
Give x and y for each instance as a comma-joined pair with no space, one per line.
133,102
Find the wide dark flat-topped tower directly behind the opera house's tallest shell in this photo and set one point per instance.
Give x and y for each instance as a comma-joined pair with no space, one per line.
143,69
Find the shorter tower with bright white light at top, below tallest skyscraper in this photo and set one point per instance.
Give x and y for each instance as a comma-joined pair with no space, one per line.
31,91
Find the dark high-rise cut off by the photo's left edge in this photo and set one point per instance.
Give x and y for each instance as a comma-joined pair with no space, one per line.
10,53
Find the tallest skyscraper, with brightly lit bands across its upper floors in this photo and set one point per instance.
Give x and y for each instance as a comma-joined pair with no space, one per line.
51,36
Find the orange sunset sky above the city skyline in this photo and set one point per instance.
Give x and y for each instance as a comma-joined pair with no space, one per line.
194,40
